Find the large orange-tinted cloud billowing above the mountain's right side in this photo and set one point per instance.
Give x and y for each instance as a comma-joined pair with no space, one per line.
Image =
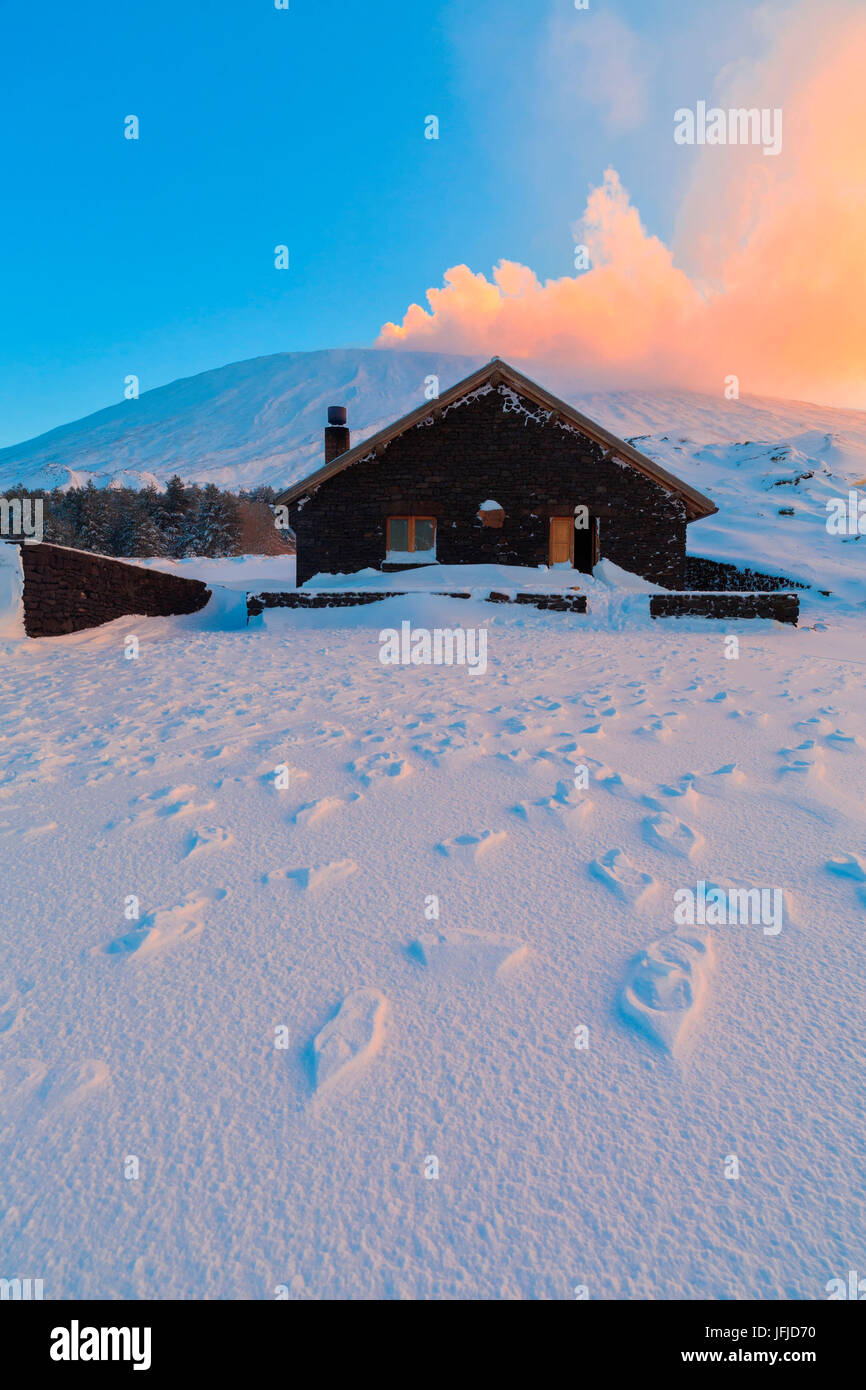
775,248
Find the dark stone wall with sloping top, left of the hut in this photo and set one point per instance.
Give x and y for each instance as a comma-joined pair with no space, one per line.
67,591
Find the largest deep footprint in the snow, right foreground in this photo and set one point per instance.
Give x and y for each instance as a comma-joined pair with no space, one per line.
667,986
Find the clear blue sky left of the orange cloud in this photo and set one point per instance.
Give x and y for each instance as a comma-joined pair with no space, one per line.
304,127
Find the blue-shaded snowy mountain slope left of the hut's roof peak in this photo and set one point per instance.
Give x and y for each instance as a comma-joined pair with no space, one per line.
238,426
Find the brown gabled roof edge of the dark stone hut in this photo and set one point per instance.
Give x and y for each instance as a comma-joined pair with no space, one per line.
500,373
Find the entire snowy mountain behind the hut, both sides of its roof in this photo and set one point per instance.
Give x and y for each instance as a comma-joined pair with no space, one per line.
262,422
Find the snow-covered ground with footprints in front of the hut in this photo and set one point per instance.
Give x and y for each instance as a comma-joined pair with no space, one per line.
286,1046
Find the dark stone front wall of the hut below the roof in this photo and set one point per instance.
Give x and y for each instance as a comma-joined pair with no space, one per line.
503,448
